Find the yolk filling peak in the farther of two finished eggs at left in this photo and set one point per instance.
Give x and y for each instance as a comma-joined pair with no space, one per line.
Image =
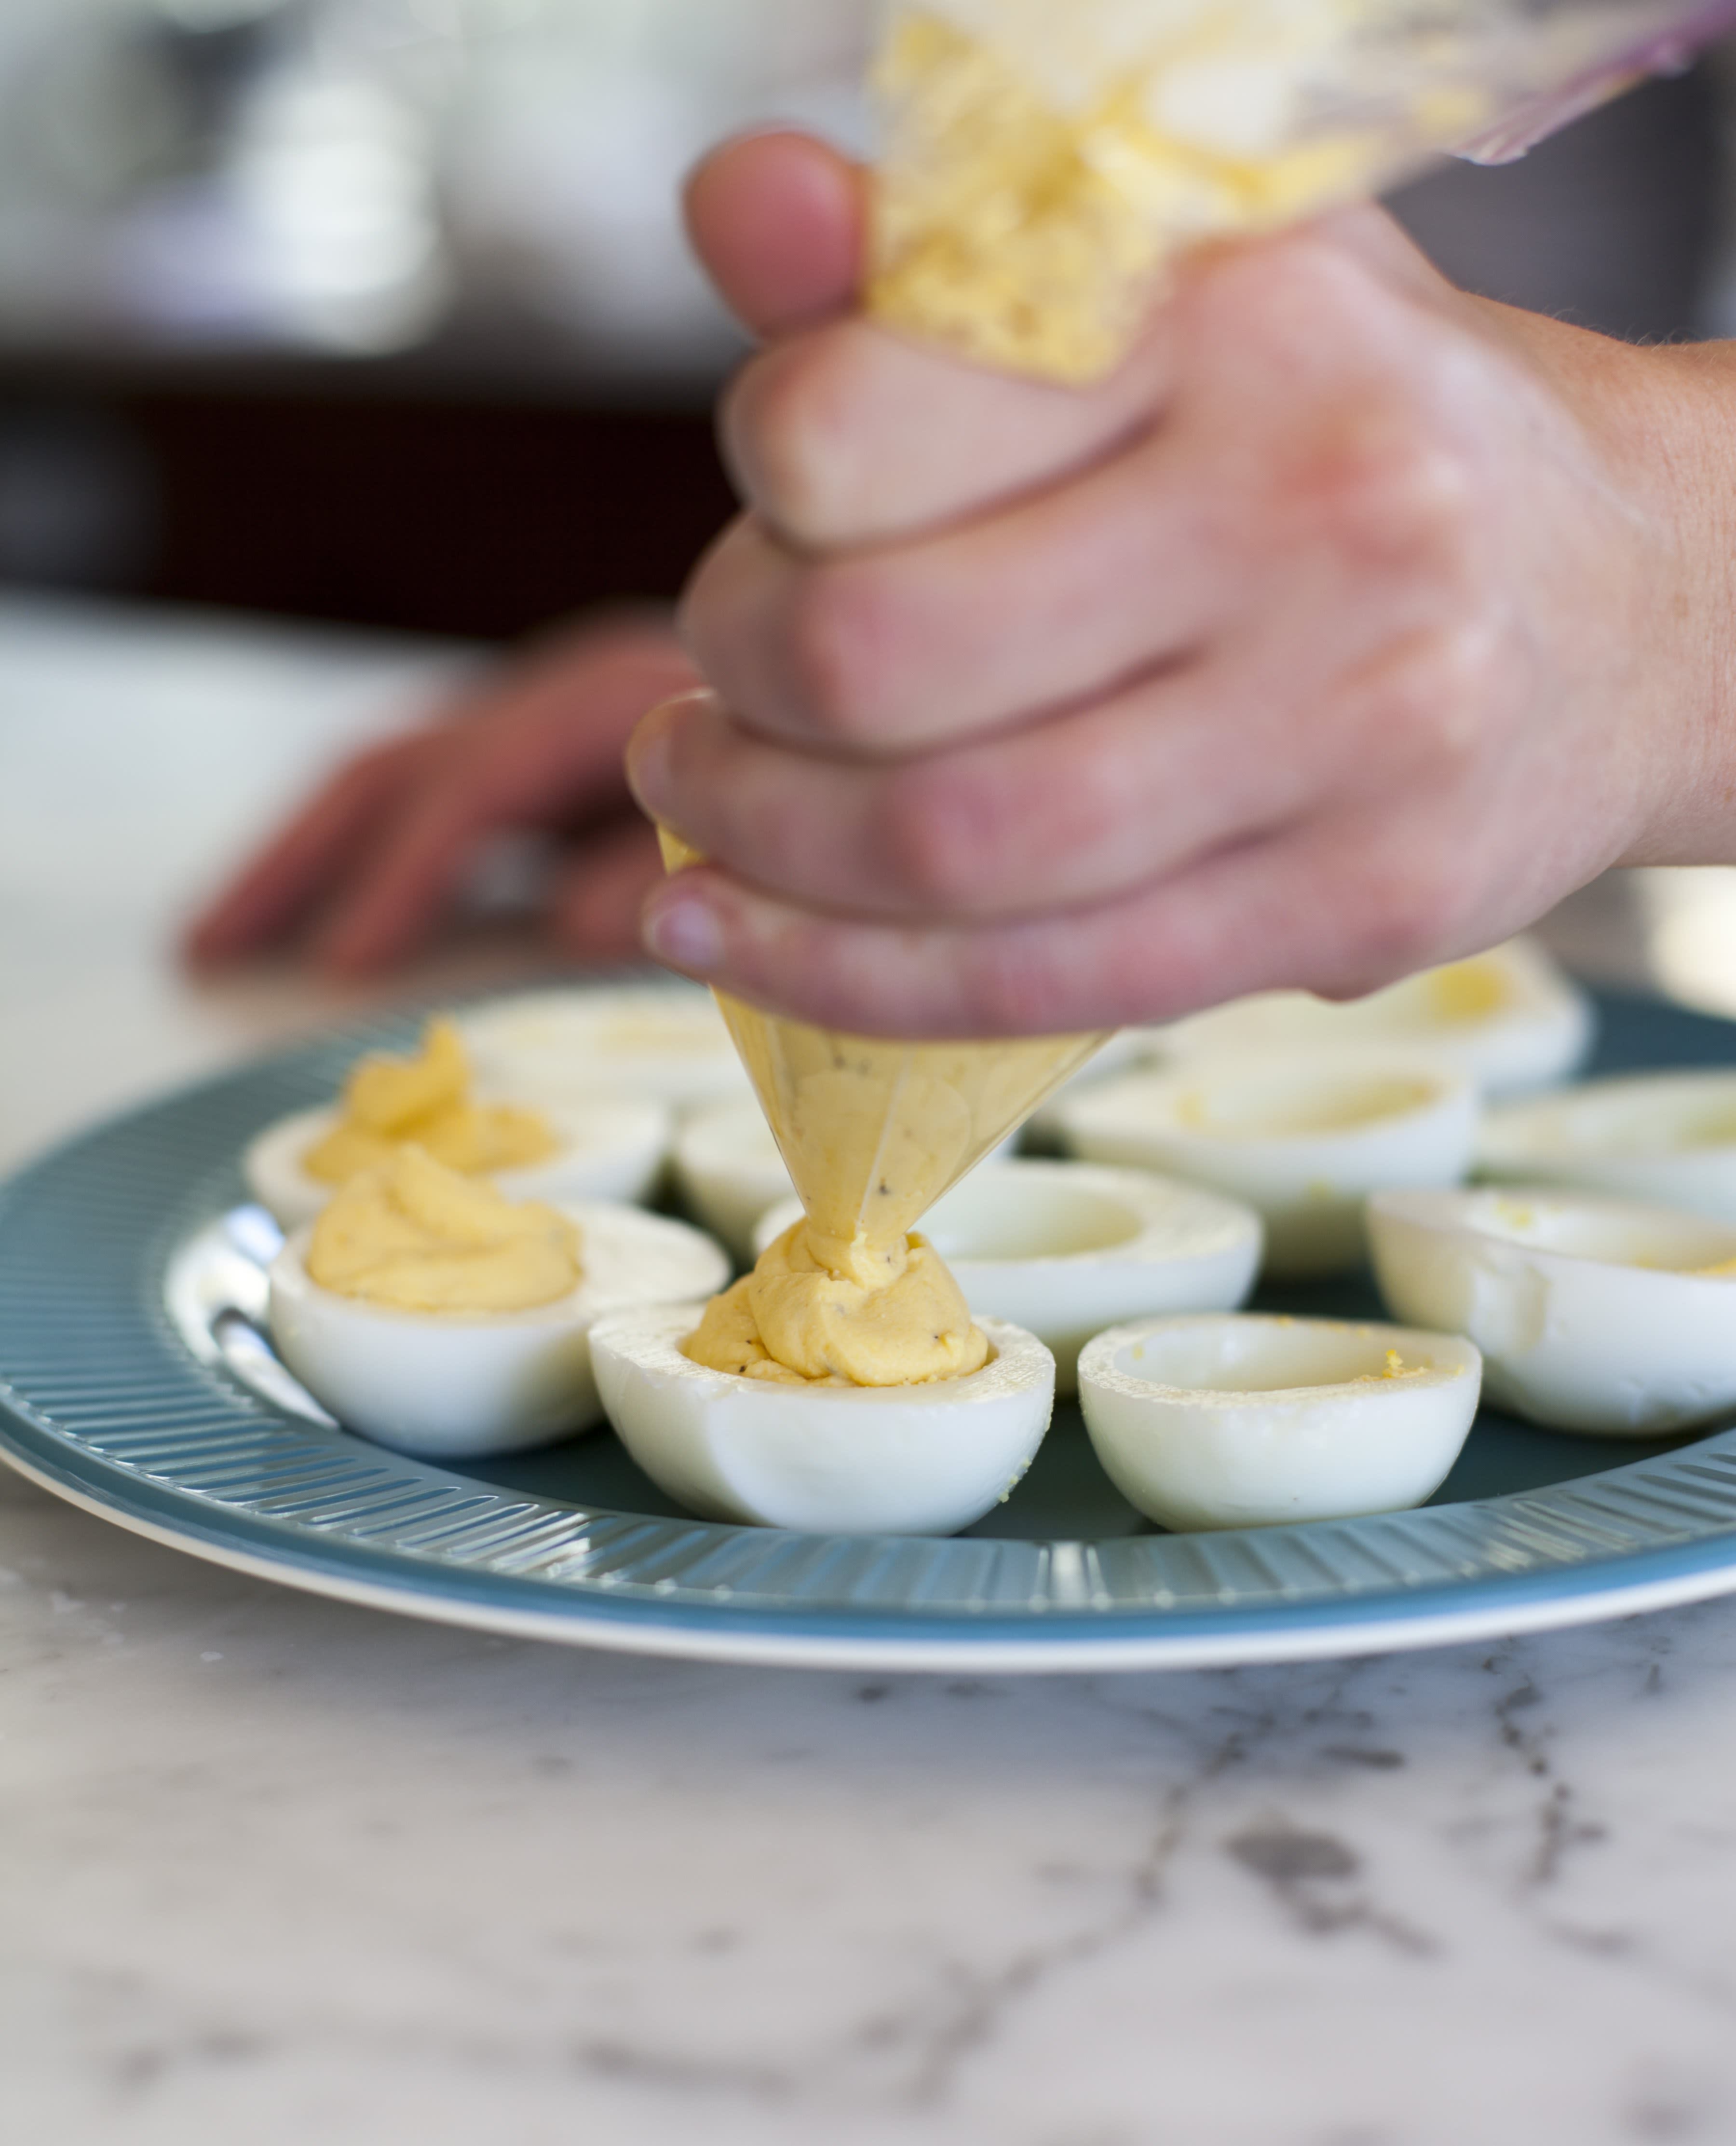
426,1100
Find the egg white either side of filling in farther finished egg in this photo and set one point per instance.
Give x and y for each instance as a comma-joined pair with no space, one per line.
610,1149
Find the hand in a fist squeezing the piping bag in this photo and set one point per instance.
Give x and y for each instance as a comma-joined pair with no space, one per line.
1342,632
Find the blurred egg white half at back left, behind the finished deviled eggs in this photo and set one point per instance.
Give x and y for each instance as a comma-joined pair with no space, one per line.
662,1042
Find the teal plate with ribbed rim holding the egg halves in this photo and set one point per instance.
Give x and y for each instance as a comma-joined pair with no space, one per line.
136,1383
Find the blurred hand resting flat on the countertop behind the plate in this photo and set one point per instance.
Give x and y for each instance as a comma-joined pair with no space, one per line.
381,851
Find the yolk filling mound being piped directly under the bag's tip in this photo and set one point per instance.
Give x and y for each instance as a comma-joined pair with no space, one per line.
832,1312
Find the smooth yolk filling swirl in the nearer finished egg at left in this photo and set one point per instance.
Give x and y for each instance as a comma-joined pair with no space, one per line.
422,1237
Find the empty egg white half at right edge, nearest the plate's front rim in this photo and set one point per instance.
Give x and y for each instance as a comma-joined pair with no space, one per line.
1589,1310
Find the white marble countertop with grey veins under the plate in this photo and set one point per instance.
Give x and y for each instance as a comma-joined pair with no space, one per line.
278,1870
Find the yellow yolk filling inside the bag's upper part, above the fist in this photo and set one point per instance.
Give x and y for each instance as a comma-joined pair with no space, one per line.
1044,166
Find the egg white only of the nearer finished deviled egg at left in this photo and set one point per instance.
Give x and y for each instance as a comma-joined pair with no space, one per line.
452,1387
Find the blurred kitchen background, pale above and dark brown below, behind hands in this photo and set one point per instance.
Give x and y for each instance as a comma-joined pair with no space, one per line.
379,310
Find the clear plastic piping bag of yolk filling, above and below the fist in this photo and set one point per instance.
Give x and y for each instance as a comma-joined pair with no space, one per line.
1046,166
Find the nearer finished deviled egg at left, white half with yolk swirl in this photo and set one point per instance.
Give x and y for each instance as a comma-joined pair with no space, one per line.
432,1314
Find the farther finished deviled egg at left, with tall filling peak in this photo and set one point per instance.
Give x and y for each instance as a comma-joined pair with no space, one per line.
602,1147
